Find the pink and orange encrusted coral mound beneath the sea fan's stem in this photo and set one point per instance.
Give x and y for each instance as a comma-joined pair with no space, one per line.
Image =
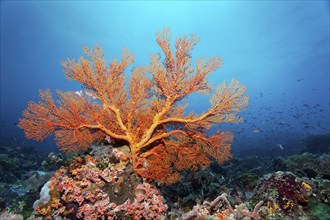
85,191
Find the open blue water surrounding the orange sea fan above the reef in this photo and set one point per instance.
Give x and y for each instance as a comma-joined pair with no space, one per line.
278,49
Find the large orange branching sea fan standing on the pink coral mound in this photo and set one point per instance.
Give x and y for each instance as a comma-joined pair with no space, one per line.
148,112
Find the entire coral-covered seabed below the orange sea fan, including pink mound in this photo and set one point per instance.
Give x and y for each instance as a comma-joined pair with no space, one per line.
102,184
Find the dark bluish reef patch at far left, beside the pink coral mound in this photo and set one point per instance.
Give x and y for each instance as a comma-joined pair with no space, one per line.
21,176
